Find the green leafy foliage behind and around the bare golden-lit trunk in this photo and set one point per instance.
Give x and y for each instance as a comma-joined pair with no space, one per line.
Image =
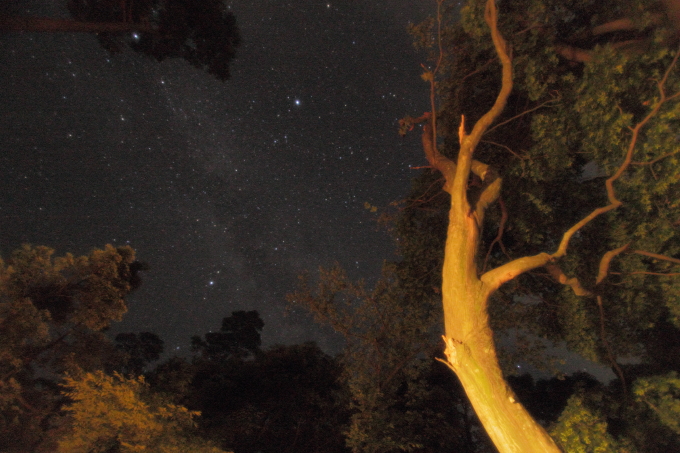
582,99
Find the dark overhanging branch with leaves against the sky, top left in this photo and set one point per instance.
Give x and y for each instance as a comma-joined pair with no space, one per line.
204,33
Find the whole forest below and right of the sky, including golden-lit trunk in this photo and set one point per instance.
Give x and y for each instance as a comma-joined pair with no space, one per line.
546,211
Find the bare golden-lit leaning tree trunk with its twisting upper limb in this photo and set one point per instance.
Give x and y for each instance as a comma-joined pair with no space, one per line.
470,348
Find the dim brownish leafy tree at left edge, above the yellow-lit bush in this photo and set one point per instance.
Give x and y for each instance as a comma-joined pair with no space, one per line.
52,311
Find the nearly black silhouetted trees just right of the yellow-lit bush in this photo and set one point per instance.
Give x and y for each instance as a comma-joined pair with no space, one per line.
286,398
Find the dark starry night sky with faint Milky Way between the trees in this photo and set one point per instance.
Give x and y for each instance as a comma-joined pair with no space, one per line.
227,190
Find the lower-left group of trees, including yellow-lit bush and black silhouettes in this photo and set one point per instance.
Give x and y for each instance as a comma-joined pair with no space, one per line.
66,386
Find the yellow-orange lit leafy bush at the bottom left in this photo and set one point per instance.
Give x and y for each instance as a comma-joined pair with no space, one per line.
114,411
